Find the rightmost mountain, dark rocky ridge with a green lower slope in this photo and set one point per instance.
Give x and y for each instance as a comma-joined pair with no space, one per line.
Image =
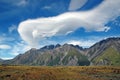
105,52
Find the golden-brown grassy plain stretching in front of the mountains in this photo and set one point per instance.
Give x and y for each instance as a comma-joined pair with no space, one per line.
59,73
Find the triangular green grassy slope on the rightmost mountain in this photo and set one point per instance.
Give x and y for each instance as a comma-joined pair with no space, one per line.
109,57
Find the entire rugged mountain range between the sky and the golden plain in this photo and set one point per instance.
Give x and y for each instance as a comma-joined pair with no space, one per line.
105,52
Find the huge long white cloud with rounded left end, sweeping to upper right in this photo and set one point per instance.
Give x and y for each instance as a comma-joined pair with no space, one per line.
32,31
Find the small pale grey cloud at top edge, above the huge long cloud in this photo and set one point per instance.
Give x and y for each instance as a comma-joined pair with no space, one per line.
76,4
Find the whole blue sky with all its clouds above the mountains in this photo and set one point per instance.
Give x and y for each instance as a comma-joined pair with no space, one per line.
26,24
